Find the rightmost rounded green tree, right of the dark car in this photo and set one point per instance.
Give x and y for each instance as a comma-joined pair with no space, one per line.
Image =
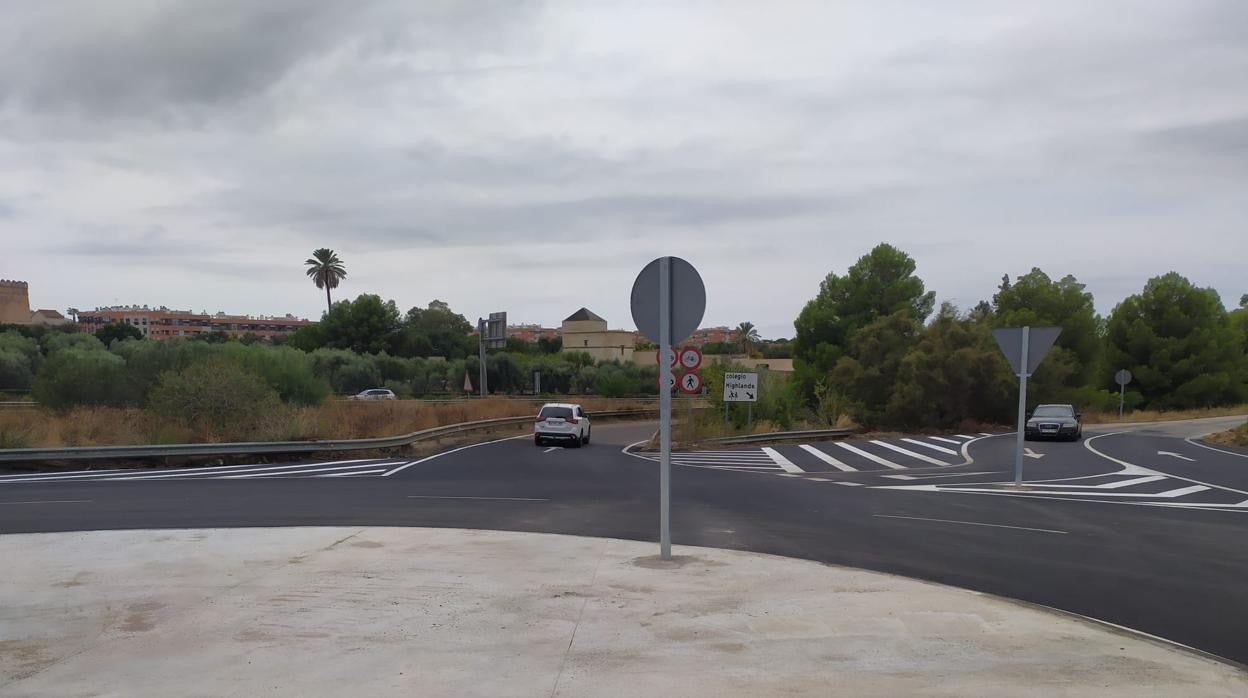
1179,343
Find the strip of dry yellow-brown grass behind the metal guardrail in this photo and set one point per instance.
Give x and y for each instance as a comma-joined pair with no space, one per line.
338,420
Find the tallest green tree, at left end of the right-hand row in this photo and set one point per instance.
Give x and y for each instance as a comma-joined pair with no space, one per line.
879,285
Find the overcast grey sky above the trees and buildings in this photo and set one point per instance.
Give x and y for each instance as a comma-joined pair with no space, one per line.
532,158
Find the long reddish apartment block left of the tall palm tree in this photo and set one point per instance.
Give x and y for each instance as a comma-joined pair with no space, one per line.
164,324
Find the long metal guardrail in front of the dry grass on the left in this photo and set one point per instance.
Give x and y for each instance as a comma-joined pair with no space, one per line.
248,449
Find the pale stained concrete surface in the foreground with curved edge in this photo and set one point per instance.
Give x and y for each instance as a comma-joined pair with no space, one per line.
450,612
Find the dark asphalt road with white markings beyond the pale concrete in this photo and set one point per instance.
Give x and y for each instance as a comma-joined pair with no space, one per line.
1143,529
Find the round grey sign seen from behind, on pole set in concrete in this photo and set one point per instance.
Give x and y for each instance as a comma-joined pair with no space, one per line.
668,303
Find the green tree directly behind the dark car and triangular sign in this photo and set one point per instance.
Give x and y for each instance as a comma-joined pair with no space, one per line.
1038,300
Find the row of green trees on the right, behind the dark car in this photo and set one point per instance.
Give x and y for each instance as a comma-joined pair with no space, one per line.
874,347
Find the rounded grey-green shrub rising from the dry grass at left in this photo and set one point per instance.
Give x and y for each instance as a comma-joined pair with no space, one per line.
215,398
